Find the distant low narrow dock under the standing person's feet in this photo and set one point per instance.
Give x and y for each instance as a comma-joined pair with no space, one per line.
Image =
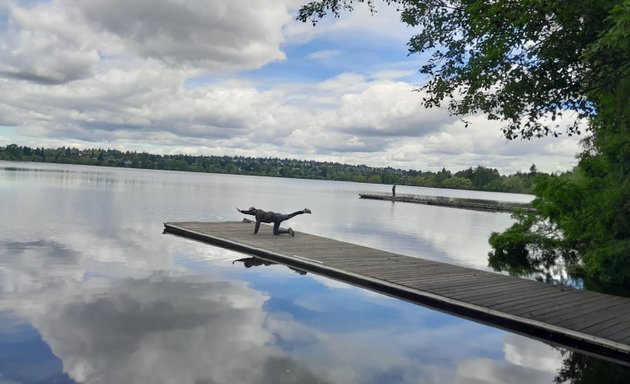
453,202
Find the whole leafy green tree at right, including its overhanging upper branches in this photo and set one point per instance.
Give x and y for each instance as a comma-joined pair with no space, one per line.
526,63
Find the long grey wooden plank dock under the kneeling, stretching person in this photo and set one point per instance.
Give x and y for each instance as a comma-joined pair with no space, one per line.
588,322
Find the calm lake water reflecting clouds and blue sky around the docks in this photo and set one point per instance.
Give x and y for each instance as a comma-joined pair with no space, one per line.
91,290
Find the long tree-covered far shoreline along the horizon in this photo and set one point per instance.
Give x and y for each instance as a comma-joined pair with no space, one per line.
477,179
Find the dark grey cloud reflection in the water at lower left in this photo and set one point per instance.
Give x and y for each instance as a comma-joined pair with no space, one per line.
164,330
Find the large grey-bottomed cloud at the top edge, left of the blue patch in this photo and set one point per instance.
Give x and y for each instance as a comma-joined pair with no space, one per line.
234,34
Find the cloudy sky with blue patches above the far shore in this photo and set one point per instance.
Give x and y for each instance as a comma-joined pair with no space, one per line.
237,77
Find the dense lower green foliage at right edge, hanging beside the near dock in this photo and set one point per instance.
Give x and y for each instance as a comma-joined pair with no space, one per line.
589,210
